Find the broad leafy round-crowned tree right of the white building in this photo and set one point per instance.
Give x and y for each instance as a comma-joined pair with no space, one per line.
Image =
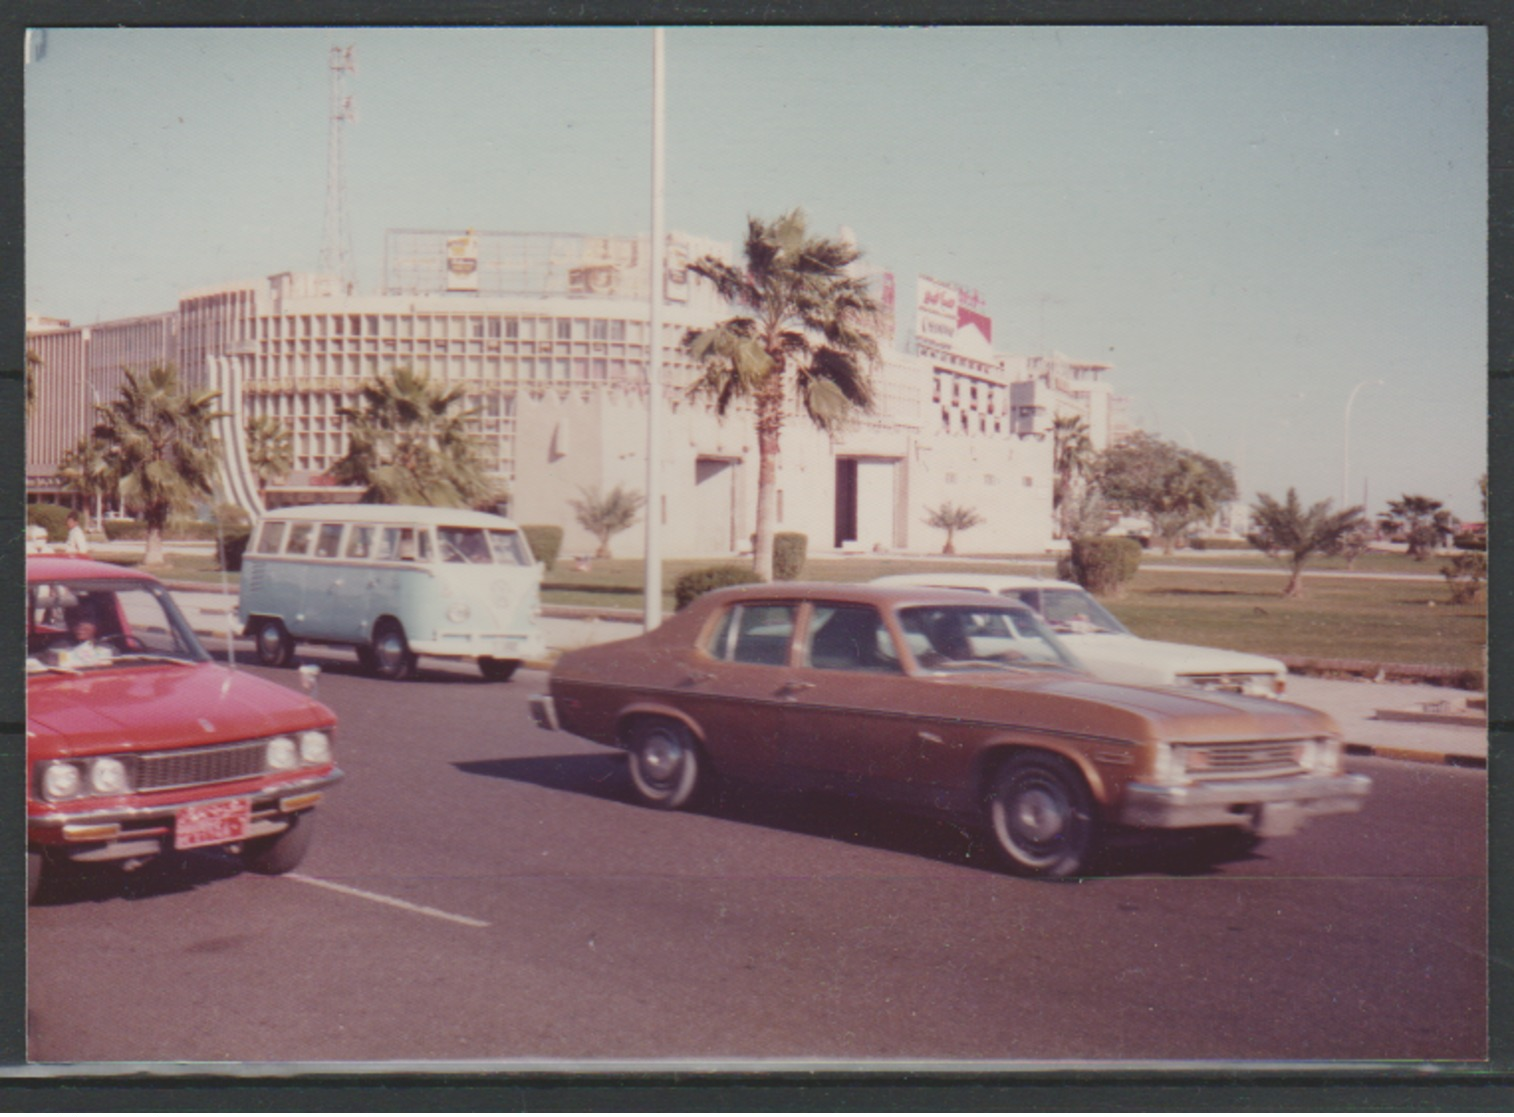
1171,487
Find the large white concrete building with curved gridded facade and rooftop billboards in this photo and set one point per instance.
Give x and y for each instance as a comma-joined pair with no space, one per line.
550,338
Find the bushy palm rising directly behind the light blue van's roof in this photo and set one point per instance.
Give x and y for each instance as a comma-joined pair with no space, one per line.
407,444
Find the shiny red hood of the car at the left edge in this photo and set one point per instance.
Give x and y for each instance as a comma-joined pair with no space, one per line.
164,706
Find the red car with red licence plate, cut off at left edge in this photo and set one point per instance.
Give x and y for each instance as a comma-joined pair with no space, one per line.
139,744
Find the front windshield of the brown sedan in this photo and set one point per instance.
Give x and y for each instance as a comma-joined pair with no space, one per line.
958,638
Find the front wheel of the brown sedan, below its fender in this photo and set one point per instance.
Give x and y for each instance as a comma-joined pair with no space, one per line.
1042,817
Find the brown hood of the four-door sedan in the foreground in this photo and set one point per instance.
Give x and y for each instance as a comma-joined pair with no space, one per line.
1091,706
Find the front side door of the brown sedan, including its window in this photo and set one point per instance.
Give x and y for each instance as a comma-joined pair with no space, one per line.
847,717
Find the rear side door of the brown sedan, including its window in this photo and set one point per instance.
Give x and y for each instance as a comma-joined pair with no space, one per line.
735,686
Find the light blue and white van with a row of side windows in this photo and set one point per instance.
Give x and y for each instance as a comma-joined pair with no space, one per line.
393,582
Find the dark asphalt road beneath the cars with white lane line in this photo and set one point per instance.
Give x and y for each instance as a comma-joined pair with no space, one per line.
485,891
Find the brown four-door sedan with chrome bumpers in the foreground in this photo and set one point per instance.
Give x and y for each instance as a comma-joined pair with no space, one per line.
947,703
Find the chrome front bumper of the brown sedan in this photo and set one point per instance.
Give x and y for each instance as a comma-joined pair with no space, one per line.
1269,807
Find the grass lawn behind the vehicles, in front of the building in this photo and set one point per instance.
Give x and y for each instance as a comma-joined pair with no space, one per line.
1207,603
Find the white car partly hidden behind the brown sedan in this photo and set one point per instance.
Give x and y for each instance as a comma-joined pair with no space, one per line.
1107,649
